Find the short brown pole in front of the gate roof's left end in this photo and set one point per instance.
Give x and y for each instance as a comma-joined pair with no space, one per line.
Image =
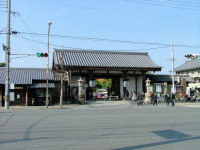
61,80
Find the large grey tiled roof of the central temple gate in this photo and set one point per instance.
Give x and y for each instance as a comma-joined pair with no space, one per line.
104,59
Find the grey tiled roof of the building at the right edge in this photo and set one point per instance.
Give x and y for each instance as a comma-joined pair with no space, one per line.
189,65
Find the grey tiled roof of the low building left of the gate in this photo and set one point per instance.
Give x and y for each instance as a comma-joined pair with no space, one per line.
25,75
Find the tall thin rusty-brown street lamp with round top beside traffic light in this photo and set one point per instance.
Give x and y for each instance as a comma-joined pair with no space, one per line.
47,88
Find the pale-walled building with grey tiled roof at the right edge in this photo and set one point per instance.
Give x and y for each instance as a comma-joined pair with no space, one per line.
190,68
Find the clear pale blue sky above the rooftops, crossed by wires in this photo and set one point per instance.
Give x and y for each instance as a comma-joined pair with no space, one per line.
114,25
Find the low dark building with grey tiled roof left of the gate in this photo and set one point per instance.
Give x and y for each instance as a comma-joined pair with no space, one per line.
25,84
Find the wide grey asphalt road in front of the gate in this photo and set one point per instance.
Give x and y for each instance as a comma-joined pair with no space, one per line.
100,126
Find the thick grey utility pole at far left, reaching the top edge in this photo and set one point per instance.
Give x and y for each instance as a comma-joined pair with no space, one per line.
7,58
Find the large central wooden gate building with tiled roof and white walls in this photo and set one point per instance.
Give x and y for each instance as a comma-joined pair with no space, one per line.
121,67
